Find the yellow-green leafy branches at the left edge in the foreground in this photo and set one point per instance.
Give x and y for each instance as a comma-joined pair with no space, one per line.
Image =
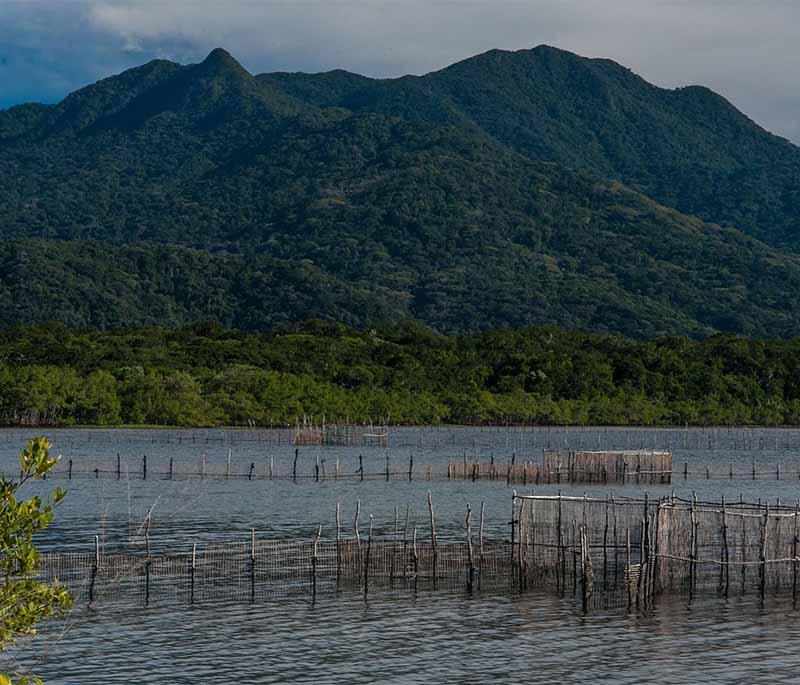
24,601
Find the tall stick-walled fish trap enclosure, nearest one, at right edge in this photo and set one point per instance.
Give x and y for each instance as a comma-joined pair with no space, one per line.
628,552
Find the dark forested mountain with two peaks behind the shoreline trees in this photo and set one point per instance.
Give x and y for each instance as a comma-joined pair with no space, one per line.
509,189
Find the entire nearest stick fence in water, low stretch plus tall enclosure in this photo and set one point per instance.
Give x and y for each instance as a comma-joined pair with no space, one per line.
614,553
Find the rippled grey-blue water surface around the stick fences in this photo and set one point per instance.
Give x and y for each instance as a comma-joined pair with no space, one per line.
391,638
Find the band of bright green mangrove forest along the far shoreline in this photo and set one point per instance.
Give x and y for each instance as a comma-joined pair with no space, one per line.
206,375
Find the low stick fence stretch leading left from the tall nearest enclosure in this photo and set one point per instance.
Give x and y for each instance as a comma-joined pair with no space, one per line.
402,555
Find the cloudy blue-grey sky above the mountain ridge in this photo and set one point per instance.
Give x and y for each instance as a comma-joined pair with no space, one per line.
747,50
